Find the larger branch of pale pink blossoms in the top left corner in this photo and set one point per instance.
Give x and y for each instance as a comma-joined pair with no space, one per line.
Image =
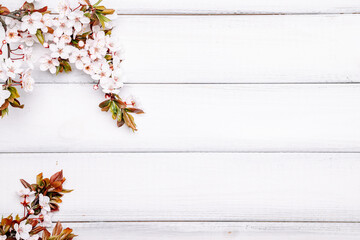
78,36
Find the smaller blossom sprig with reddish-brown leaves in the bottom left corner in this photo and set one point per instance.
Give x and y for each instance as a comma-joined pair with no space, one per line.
39,200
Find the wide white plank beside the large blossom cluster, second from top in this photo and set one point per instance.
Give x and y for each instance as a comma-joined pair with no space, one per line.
236,49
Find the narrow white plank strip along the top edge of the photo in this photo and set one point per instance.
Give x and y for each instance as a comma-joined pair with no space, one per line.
220,7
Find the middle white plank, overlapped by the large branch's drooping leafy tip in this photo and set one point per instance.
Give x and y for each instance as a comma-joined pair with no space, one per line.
66,118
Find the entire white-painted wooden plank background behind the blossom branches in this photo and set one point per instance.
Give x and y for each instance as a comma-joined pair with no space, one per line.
252,128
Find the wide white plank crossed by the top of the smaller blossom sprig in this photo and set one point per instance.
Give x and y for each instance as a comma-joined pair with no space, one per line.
194,186
